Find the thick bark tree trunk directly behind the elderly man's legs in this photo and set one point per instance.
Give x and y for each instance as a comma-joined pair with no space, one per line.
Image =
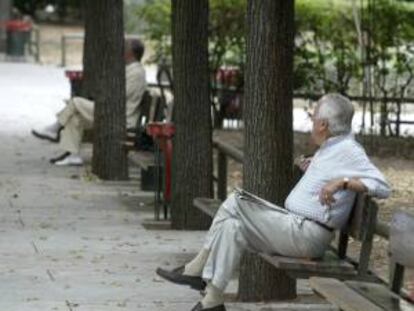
268,131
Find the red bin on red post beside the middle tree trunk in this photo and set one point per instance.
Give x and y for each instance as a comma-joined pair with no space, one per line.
162,133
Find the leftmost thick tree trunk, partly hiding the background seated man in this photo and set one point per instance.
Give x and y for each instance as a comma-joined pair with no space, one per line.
105,67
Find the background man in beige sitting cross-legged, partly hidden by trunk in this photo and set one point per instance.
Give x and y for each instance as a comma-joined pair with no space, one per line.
79,112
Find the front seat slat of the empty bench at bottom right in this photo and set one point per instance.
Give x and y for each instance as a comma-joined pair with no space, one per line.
341,295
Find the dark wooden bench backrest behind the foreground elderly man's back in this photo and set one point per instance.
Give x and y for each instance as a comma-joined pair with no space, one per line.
361,227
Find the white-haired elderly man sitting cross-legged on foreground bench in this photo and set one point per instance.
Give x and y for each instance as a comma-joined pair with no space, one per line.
318,205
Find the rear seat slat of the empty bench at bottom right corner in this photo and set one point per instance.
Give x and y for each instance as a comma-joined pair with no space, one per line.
380,295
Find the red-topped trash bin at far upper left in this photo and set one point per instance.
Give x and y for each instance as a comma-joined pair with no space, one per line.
18,35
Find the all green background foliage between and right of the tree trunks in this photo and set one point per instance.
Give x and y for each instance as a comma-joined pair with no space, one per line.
327,55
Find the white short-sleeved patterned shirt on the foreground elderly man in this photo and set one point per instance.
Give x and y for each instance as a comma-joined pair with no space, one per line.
338,157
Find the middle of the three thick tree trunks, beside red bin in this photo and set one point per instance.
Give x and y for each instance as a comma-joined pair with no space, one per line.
192,158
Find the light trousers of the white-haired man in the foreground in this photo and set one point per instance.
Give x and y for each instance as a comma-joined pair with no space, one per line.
246,222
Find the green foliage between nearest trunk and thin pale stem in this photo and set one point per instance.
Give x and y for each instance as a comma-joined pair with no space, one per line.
326,41
